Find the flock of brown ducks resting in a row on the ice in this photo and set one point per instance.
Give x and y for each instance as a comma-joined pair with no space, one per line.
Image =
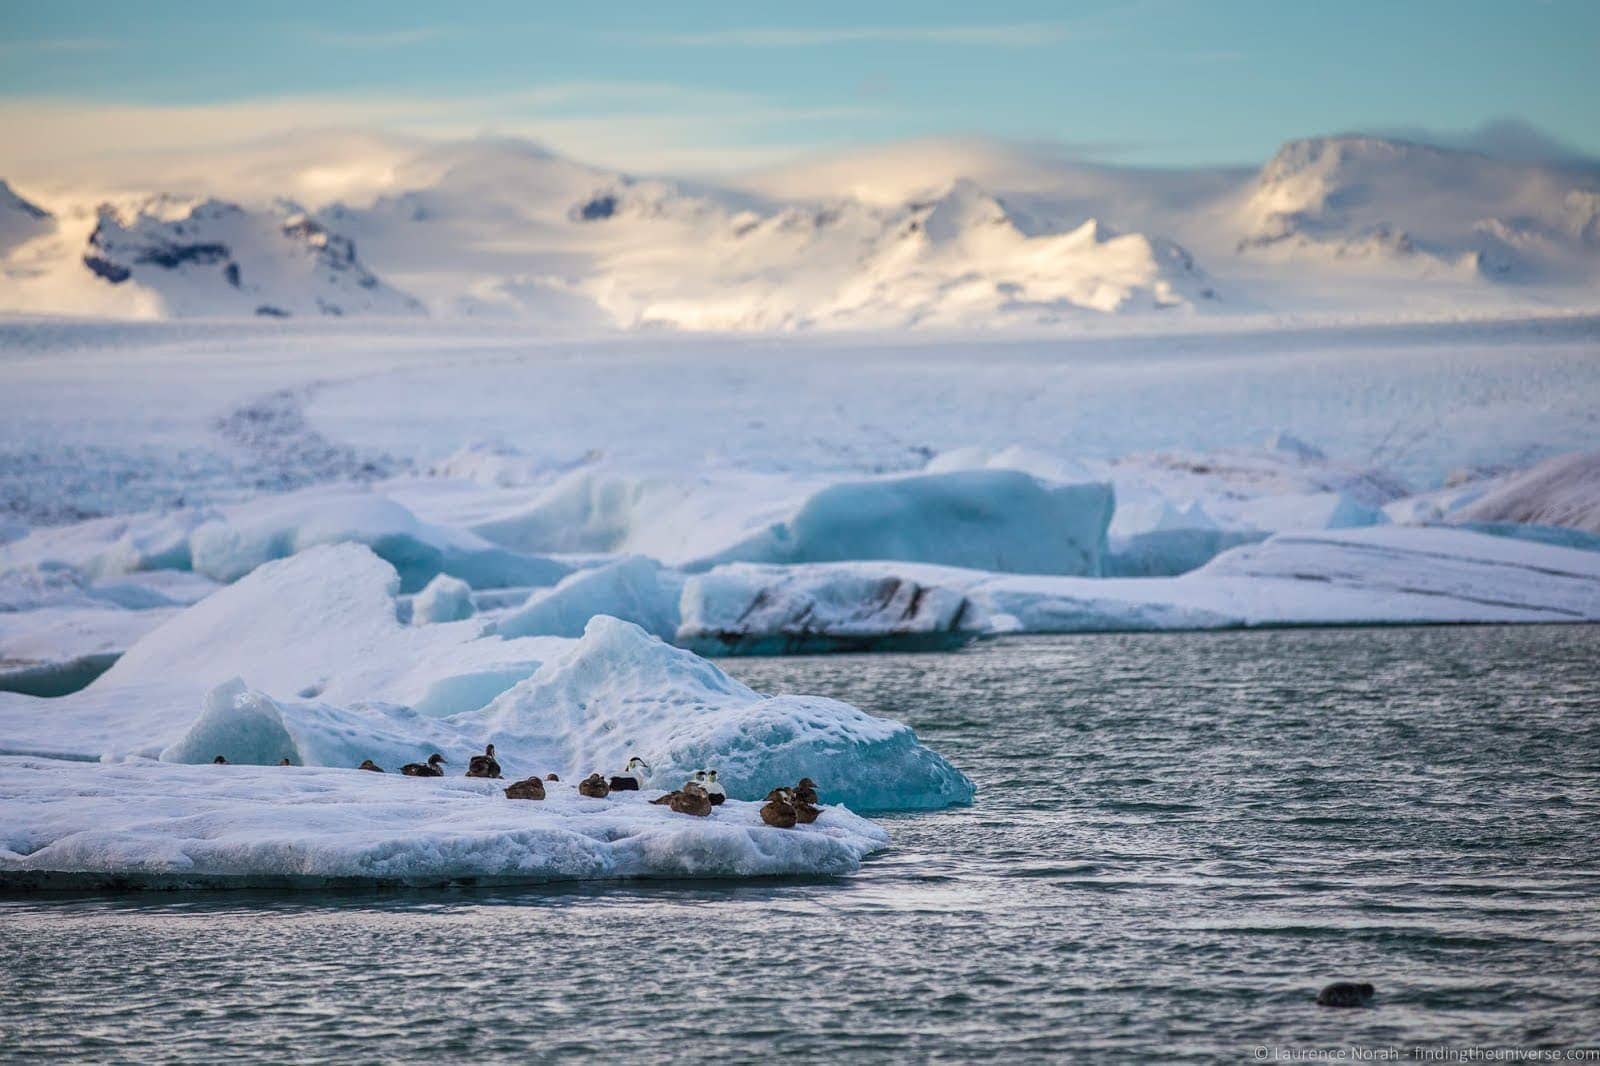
785,808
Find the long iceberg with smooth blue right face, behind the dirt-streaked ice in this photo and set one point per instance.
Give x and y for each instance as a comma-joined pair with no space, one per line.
996,519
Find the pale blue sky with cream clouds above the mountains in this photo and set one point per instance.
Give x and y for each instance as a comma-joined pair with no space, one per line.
697,87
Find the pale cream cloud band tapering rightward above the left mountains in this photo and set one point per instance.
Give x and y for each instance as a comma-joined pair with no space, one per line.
345,145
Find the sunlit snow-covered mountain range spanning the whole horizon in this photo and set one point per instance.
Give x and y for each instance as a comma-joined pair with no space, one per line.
975,238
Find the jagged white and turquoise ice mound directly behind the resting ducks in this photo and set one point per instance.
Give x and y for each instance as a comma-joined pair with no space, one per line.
306,660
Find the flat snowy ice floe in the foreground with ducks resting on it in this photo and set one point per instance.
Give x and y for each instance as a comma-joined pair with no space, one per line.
174,827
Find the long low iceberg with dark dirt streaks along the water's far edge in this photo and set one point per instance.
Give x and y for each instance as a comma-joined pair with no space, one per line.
1375,575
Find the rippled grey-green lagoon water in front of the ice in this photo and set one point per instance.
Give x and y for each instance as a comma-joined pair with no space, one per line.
1177,841
